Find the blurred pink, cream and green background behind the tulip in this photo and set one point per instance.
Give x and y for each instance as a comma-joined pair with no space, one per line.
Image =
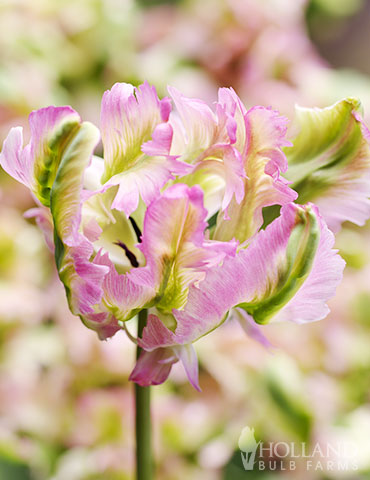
66,407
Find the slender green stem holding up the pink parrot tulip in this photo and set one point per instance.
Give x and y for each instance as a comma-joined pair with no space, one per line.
144,469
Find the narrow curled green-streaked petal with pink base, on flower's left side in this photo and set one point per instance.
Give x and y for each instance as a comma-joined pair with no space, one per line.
81,278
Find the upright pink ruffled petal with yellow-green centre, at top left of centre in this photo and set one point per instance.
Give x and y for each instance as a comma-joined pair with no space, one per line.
137,141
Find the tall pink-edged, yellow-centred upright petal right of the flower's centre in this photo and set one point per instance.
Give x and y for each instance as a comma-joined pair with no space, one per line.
263,161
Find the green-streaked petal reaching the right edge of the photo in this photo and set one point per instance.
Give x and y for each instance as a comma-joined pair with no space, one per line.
329,163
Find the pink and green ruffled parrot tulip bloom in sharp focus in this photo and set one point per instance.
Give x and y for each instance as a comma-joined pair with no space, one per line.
170,220
